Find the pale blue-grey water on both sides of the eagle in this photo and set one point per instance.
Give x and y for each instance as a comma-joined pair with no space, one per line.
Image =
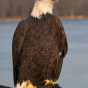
75,68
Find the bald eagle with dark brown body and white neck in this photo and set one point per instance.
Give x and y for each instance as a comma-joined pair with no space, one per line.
39,45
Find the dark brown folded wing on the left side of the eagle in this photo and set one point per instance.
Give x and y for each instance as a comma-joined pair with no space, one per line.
17,42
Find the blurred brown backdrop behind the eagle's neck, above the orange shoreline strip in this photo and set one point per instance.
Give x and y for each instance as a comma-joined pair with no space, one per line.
62,8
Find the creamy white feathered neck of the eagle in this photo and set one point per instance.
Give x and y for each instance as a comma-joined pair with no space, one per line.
42,7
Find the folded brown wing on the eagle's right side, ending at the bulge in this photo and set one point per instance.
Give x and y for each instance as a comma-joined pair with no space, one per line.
62,43
